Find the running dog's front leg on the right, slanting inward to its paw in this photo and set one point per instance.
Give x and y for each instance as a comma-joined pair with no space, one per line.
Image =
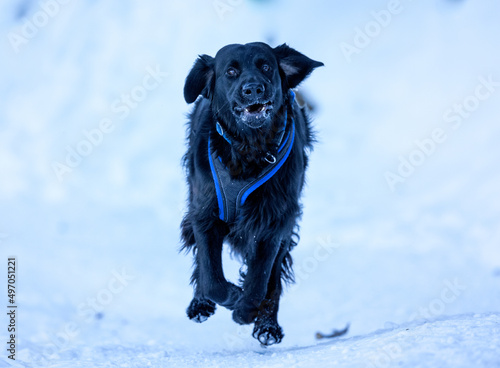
260,262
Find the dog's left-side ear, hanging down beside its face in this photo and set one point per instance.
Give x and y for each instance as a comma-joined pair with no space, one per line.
200,79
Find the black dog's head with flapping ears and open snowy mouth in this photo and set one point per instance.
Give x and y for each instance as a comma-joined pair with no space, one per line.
247,83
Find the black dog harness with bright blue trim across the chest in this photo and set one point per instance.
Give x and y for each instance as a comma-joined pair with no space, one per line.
232,193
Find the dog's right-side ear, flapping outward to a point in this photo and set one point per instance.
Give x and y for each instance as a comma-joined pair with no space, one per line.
295,66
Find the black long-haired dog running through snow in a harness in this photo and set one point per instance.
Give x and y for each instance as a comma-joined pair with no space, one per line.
246,159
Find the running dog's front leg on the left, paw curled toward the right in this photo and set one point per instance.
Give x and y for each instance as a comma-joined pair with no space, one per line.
208,274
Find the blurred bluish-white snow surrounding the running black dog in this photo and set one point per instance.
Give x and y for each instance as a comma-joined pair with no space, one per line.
400,236
